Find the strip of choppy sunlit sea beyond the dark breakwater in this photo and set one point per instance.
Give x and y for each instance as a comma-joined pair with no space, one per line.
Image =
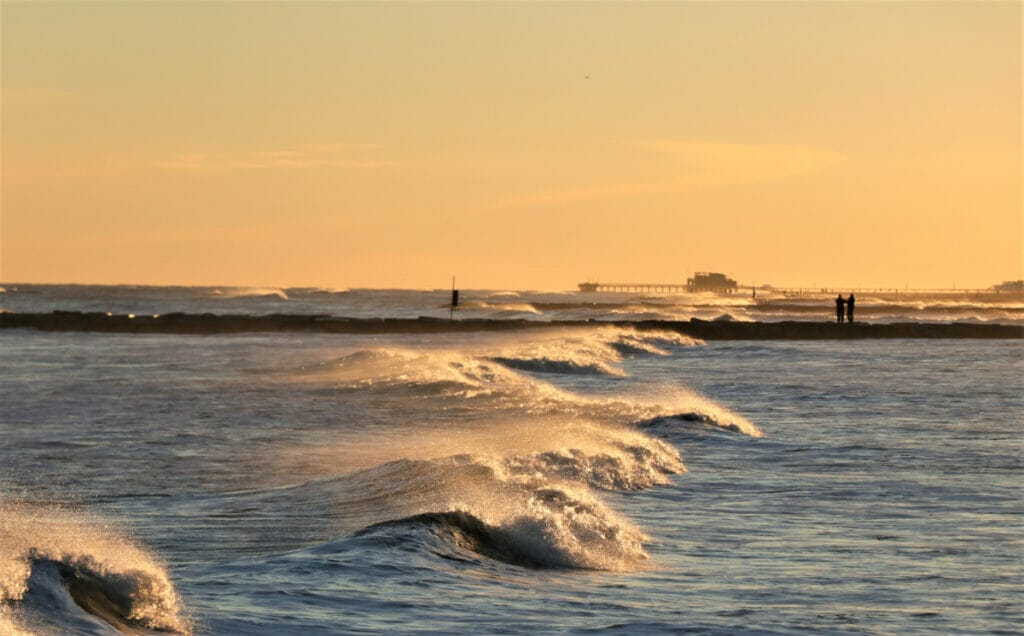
1006,309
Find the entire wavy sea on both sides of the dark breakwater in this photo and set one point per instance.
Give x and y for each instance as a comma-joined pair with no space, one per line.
575,481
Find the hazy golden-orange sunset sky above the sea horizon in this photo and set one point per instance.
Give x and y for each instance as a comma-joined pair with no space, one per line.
514,146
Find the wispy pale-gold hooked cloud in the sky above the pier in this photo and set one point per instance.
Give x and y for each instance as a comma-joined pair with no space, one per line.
704,165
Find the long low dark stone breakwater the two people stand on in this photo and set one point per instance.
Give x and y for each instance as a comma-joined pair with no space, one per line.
236,324
